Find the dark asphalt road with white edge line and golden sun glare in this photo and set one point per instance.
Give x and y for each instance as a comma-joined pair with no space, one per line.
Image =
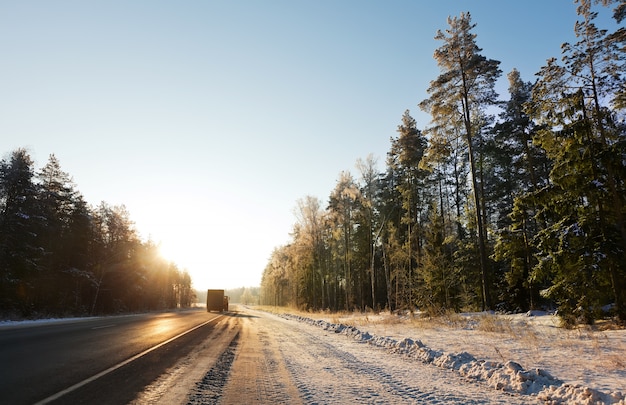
38,361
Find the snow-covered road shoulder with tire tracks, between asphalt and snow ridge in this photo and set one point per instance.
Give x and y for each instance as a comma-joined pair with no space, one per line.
327,368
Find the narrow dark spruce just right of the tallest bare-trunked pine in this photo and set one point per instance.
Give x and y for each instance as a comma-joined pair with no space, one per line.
523,169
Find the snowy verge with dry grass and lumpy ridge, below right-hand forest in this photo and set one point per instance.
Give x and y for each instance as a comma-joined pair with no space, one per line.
525,353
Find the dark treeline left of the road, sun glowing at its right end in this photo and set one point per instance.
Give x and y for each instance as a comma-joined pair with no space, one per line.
59,256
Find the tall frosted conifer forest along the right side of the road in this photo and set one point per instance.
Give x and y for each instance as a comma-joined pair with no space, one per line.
509,205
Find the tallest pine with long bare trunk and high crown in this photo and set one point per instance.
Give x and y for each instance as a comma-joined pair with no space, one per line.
464,87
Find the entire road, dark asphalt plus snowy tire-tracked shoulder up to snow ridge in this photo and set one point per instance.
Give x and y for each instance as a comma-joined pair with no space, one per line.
239,357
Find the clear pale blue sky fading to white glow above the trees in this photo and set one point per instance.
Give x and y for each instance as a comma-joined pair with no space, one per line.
209,119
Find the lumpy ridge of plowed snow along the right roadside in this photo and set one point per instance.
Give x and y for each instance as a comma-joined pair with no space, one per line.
509,376
